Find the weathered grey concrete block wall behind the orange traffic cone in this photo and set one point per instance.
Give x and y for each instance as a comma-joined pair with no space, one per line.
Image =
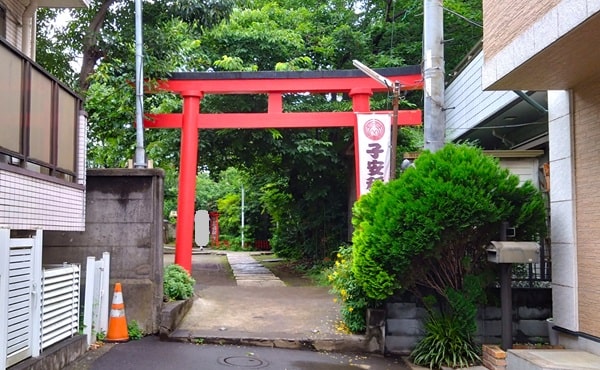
124,217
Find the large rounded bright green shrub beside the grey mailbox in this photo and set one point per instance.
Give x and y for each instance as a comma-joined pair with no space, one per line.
431,225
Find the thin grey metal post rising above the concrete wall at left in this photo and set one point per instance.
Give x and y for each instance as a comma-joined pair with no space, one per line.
140,154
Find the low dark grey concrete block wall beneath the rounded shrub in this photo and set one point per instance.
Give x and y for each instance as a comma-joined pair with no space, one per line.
531,308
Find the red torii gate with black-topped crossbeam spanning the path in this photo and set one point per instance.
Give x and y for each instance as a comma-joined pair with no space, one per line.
192,86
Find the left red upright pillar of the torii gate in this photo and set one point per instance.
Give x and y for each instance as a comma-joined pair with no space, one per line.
188,168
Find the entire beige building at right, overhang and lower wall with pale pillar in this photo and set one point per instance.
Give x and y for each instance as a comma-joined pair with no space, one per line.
552,45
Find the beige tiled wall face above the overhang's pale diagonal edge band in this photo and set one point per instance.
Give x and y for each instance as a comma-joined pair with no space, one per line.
505,20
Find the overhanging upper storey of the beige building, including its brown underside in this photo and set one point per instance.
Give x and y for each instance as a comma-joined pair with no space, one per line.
540,45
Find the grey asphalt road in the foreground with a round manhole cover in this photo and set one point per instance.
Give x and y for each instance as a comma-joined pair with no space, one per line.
150,353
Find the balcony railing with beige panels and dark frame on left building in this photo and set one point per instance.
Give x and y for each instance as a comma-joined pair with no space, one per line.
40,118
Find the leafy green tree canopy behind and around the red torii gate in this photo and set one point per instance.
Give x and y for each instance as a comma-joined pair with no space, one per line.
301,177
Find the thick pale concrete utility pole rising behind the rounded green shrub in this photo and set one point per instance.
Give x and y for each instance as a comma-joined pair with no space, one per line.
434,118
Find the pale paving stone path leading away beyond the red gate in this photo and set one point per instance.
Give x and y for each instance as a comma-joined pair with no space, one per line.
249,272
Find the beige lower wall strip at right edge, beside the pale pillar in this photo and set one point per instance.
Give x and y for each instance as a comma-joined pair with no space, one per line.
586,108
